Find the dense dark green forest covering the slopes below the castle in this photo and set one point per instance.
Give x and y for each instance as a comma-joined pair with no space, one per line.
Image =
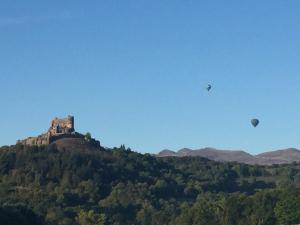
44,185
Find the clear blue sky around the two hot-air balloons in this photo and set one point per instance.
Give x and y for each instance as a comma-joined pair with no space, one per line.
134,72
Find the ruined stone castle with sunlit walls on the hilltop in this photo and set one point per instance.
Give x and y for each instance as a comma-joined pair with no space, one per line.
60,128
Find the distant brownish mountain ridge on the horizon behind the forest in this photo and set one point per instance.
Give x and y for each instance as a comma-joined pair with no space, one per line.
282,156
